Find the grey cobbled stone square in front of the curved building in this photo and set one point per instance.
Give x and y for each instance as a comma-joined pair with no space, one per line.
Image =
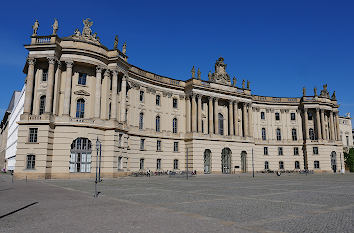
209,203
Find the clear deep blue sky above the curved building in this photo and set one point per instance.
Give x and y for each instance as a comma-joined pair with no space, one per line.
280,46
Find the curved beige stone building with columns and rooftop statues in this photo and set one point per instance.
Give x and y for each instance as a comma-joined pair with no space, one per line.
77,90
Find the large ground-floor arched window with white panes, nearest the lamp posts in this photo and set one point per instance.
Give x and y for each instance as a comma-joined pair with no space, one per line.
80,157
